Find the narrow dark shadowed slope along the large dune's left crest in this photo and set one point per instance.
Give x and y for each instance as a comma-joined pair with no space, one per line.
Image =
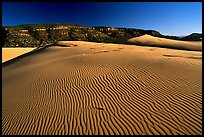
33,52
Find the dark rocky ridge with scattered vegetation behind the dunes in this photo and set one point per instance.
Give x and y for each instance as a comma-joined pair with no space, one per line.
36,35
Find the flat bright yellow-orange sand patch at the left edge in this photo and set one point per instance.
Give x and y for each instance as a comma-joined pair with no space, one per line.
10,53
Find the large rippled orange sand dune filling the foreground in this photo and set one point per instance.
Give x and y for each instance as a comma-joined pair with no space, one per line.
96,88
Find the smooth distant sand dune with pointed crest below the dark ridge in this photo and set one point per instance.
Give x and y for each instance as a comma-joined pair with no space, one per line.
163,42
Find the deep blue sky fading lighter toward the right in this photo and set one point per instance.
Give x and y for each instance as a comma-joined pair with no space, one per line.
169,18
